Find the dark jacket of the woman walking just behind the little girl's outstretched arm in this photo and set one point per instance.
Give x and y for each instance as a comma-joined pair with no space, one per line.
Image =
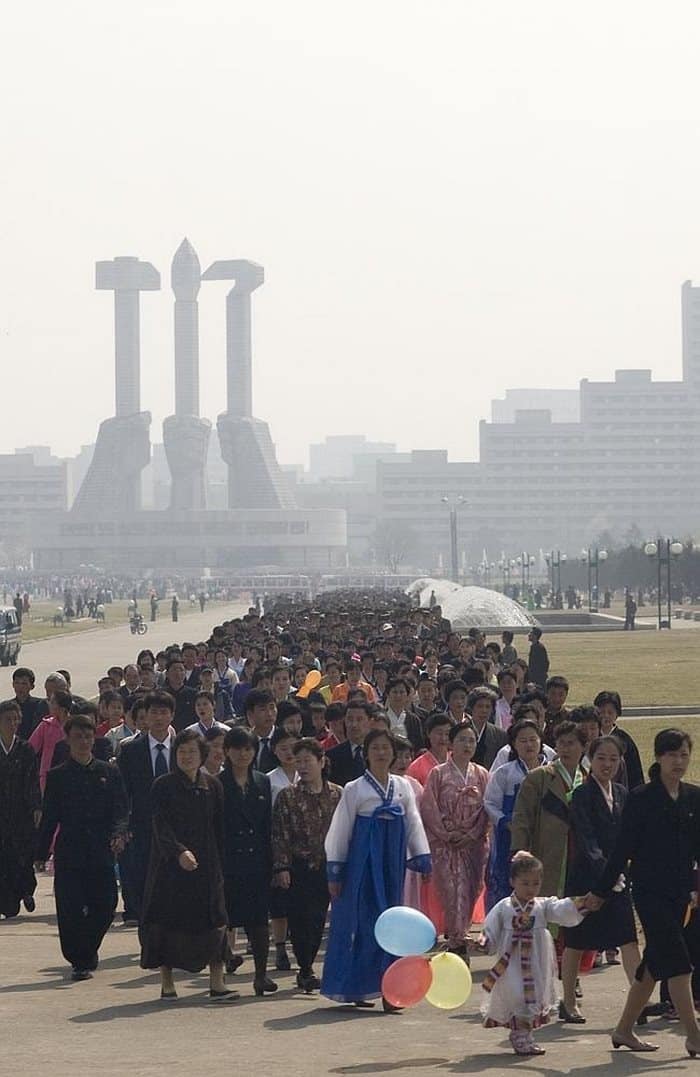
595,830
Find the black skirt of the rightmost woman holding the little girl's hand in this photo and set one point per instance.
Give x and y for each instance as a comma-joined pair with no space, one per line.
666,954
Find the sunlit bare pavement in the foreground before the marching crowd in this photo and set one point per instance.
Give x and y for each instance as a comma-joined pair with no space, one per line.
116,1025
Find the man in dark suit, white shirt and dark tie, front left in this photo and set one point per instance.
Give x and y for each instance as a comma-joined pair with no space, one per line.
142,761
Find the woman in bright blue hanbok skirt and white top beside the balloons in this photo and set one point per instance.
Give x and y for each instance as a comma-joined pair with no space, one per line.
375,834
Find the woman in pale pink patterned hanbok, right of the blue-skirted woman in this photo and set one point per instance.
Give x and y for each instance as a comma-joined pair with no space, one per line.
457,828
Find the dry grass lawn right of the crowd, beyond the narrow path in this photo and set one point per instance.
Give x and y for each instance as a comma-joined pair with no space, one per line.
649,669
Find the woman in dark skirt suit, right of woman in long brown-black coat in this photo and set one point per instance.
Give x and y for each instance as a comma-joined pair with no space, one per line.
248,848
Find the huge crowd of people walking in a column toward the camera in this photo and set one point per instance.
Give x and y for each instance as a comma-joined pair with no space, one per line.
314,766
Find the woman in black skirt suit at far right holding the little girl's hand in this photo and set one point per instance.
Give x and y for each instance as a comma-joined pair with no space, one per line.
660,840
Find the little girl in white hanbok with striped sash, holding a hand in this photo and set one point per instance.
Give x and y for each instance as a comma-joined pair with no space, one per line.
521,991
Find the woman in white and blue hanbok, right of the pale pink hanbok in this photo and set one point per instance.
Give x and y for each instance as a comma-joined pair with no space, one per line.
499,801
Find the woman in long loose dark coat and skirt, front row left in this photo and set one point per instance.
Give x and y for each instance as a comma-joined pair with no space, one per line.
185,916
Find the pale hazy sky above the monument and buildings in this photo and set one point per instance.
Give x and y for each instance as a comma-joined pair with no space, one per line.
450,199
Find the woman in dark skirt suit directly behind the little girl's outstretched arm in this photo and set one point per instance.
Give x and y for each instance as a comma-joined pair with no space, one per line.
596,817
